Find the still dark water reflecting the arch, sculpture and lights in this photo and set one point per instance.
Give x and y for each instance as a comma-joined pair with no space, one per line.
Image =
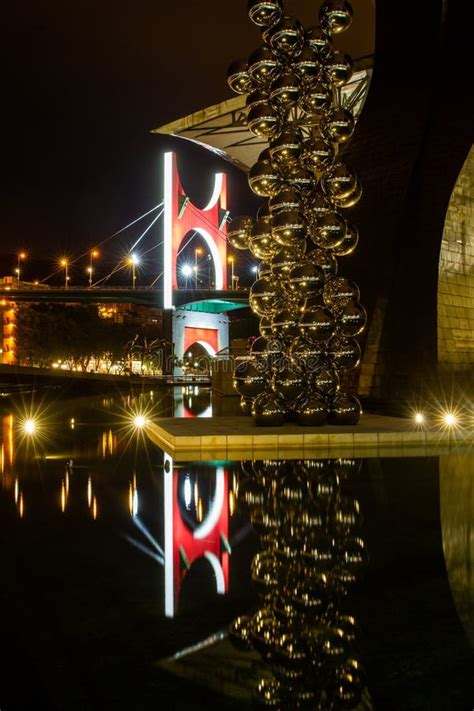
125,558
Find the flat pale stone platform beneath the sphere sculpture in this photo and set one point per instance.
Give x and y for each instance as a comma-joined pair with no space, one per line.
234,438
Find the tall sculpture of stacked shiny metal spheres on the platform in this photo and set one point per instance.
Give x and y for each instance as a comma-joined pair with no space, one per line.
309,316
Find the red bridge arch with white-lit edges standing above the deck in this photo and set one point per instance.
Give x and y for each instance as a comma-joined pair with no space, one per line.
182,216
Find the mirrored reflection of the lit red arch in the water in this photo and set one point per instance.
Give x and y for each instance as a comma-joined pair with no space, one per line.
183,546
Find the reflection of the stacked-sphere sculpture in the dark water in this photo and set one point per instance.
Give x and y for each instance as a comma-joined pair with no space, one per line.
312,554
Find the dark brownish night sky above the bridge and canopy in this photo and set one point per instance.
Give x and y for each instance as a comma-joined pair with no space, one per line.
84,84
